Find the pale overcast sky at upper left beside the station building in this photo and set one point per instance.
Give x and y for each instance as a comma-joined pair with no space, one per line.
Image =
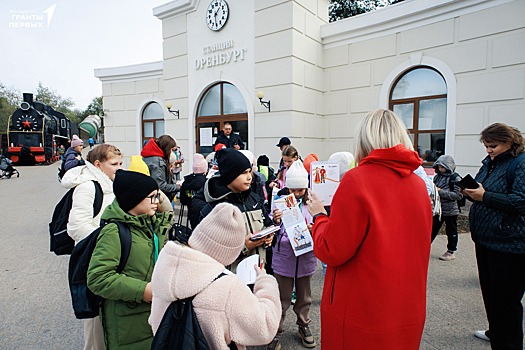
61,42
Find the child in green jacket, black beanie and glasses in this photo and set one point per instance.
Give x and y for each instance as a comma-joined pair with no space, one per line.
125,311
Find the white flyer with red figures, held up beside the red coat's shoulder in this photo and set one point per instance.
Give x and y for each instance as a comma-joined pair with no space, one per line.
324,180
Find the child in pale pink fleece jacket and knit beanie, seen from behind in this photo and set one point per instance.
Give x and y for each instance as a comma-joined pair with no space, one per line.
227,310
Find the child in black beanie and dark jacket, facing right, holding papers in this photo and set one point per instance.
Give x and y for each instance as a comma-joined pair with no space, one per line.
232,185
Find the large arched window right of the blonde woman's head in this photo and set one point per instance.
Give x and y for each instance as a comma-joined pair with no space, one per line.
419,98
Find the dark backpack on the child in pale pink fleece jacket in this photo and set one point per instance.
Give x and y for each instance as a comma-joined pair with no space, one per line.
180,329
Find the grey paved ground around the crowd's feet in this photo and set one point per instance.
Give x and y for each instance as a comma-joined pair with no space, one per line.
35,310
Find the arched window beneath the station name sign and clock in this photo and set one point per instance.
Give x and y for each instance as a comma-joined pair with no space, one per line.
221,103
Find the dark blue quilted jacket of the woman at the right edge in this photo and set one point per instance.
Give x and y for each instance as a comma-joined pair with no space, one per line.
498,222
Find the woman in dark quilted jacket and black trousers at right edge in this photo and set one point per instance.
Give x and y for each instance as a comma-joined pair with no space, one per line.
497,224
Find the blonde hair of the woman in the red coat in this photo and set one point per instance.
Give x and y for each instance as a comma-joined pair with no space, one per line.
381,128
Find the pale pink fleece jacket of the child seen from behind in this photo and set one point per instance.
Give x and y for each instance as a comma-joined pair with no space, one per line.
226,308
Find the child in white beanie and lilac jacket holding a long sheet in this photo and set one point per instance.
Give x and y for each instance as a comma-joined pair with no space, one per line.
290,269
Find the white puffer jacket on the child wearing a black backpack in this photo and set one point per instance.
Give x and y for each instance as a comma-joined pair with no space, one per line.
81,221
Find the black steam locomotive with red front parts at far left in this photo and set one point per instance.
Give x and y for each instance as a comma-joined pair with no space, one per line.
35,131
